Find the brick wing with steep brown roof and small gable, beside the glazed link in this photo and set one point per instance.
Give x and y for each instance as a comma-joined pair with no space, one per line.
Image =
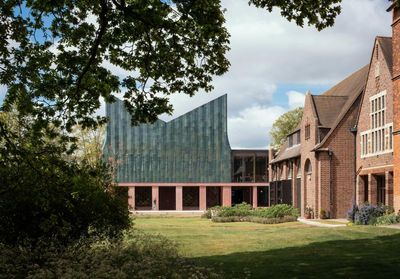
318,160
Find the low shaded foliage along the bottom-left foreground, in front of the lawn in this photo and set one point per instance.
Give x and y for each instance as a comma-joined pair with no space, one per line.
134,256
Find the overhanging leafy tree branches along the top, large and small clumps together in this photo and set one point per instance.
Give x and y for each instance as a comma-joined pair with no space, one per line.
55,57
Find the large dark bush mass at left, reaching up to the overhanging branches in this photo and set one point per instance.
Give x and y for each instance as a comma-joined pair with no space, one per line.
45,193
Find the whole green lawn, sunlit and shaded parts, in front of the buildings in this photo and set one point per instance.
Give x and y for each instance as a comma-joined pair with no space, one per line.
291,250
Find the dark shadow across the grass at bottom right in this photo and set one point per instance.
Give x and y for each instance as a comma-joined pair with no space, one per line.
377,257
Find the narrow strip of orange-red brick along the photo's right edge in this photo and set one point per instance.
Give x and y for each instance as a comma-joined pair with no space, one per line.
395,9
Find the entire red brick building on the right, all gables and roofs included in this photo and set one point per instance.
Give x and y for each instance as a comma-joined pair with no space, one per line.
346,149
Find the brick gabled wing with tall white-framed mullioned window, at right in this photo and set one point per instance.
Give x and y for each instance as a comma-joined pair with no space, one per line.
375,129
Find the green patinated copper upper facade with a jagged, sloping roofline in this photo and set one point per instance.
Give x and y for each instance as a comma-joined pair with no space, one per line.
191,148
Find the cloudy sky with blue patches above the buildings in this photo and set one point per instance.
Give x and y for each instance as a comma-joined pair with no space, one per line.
275,62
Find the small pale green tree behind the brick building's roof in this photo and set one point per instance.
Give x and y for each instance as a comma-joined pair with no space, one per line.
284,125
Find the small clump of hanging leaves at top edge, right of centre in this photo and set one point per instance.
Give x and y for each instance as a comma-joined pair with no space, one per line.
320,13
